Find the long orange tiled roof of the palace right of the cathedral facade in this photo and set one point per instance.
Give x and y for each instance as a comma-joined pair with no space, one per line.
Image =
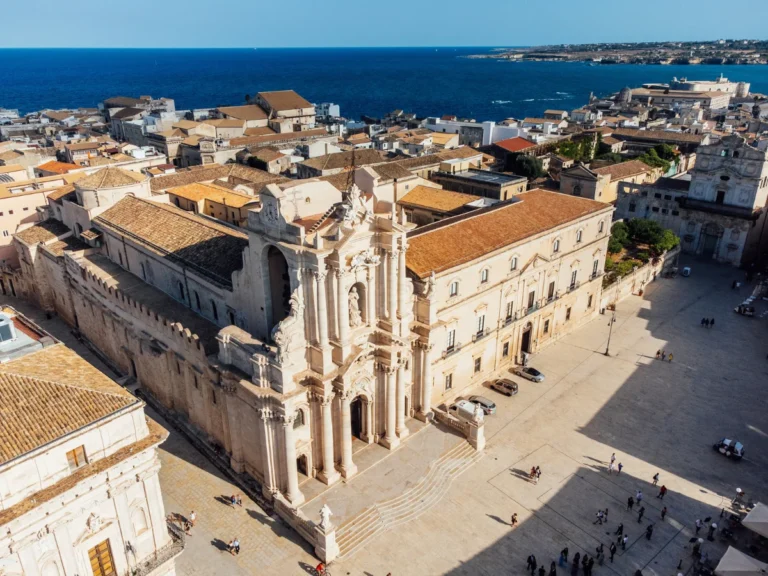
478,234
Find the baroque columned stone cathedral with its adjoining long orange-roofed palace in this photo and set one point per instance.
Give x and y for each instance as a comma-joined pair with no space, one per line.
310,326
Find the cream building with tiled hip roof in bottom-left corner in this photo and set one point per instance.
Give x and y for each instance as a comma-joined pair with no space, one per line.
79,488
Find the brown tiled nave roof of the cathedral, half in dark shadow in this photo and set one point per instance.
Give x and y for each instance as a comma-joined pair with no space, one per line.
212,250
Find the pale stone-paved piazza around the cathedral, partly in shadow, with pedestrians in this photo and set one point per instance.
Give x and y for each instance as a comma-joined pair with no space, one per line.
656,416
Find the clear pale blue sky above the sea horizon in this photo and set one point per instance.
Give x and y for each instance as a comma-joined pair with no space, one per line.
330,23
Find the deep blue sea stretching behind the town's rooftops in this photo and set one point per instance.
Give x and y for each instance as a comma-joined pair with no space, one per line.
371,81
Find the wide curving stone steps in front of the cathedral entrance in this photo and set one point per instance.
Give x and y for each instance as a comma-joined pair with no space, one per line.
410,504
